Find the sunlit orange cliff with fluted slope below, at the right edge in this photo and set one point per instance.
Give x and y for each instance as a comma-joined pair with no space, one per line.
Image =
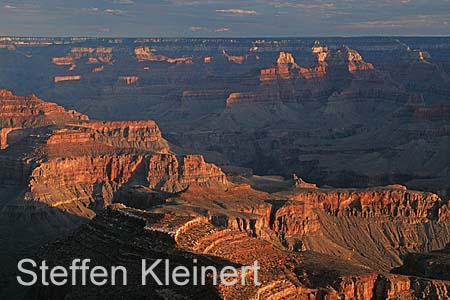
325,221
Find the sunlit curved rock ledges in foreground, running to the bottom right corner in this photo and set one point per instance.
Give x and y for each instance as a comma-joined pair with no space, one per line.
285,276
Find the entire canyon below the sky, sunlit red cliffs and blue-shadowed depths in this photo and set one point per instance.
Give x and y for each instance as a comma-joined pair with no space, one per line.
178,148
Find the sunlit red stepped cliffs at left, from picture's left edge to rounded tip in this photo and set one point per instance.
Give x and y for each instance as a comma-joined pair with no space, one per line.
81,162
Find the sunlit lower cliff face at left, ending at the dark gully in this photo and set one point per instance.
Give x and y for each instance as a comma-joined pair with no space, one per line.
81,180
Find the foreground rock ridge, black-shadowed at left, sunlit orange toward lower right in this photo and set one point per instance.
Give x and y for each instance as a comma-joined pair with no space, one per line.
283,275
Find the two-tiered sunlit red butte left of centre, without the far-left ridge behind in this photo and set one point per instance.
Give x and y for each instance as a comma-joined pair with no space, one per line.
86,167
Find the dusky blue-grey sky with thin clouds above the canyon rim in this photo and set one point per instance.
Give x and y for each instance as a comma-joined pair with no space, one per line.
224,18
